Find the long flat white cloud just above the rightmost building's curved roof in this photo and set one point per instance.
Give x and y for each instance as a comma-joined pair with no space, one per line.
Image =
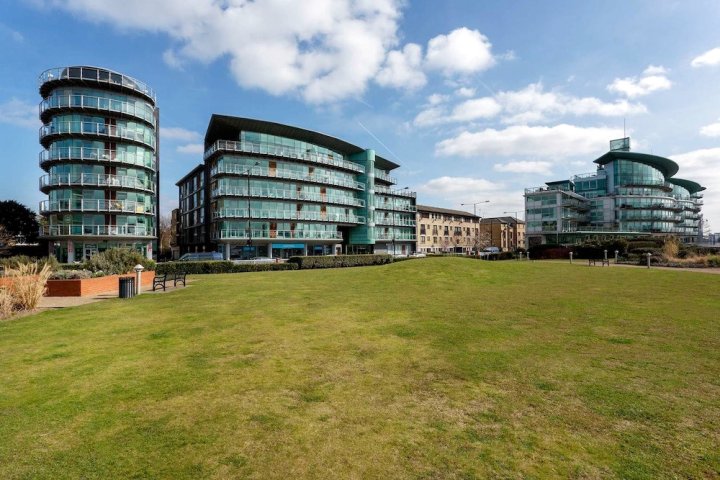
559,141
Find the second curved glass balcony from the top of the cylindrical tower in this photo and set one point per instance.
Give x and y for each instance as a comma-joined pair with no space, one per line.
94,103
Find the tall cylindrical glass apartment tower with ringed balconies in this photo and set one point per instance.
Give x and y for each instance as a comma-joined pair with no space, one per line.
99,139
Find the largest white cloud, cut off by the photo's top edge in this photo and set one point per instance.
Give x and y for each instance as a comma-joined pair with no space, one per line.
322,50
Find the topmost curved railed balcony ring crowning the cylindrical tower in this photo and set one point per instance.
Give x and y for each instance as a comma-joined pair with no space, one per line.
93,75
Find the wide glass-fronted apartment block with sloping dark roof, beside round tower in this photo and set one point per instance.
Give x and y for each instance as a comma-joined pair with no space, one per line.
267,189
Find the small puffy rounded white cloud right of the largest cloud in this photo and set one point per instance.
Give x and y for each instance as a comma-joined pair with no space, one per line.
462,51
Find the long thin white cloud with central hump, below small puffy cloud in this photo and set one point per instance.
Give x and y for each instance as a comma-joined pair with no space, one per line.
529,105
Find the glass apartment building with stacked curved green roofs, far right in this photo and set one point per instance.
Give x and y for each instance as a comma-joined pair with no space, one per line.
630,194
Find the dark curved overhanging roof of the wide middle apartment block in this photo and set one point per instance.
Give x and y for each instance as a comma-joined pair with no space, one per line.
225,127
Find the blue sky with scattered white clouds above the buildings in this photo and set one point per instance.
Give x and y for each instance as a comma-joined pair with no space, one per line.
475,100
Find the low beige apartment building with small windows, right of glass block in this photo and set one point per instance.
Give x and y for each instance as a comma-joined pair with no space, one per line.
441,230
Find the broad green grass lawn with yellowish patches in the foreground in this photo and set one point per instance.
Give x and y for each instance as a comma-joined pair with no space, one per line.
431,368
